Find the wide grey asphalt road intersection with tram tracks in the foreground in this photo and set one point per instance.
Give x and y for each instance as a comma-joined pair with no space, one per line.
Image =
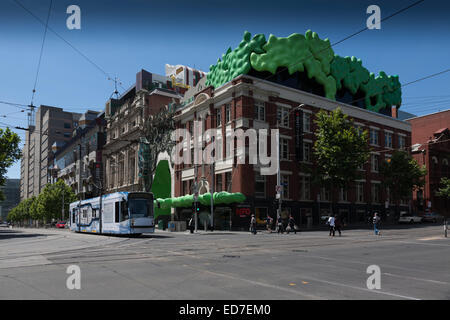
414,264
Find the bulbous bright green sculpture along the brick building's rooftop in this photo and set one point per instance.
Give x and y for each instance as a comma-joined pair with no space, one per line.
312,55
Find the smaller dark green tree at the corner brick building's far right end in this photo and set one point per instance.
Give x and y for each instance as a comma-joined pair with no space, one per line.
402,175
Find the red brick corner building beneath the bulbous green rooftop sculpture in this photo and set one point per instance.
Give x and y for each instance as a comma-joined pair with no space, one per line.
249,102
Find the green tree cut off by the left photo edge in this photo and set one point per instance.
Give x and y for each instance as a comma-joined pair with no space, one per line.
9,153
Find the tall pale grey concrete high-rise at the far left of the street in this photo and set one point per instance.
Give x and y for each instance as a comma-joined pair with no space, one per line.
51,125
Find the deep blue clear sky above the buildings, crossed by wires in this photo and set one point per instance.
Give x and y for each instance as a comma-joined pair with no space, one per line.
122,37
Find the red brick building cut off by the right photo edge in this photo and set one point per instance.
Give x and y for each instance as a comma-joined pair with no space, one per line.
431,147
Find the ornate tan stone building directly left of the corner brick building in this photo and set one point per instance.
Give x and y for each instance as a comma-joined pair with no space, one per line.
124,116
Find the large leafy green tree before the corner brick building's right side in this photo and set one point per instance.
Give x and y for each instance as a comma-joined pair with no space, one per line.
340,149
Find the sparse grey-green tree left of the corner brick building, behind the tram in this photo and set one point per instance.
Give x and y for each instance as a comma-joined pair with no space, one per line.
155,139
